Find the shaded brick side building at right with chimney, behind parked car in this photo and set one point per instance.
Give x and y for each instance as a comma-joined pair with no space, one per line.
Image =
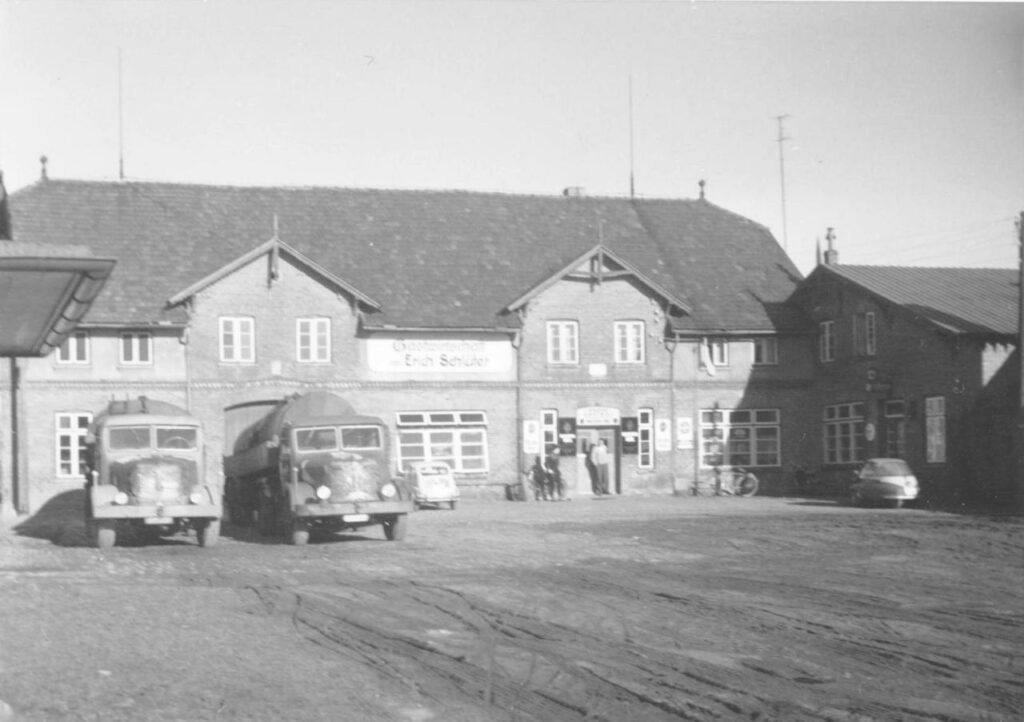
919,364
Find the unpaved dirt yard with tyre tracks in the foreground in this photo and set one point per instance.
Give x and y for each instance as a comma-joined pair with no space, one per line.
626,609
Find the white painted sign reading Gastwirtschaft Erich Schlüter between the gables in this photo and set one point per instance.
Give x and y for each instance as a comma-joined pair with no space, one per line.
416,356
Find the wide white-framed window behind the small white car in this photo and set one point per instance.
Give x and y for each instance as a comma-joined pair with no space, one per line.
458,439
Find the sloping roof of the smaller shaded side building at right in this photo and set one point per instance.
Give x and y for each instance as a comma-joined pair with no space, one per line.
960,301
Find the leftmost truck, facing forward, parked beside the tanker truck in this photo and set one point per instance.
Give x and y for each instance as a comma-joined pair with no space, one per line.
145,472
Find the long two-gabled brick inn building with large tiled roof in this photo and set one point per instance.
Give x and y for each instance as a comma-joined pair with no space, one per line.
482,327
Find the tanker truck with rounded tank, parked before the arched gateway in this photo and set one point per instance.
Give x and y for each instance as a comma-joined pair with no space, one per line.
312,462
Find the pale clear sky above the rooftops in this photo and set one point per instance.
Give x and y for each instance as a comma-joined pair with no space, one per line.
903,123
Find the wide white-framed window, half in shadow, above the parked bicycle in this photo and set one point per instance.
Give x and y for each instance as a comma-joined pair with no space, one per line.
740,438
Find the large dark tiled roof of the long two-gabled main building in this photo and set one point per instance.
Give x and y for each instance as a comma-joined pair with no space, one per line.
432,260
